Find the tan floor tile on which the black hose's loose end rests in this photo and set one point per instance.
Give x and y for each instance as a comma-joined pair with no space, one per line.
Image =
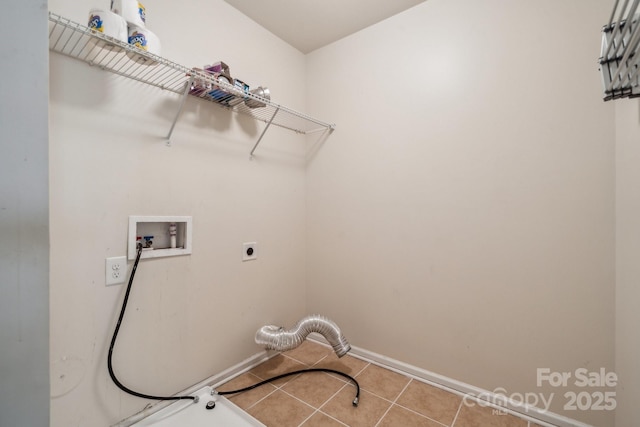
369,411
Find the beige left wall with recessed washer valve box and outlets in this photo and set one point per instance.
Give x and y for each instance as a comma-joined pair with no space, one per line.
189,317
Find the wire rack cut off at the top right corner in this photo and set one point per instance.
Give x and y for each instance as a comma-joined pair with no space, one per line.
620,52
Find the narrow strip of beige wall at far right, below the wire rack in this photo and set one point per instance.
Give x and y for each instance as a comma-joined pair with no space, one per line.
627,266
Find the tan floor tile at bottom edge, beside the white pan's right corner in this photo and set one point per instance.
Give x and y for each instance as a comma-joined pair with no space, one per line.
280,410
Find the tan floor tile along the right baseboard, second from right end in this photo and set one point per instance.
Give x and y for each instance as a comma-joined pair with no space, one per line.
430,401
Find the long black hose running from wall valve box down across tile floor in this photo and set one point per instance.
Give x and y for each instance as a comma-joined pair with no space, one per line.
148,396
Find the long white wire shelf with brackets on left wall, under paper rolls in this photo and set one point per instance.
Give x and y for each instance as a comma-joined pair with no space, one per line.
80,42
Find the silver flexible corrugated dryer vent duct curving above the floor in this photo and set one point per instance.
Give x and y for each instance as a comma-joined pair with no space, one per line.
277,338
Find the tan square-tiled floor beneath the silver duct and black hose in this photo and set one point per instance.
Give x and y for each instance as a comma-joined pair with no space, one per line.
387,399
